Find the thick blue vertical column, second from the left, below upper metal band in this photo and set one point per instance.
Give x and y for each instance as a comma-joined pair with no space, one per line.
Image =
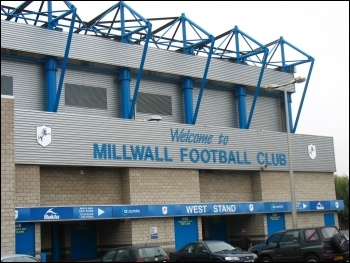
124,78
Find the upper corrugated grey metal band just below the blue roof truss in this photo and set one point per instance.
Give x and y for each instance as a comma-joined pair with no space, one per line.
53,43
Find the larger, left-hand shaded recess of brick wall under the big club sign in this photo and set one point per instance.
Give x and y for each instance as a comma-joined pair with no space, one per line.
70,186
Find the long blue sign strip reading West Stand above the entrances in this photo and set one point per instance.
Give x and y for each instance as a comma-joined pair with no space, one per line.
93,212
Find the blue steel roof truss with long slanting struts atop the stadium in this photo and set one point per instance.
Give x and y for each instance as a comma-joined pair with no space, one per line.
178,34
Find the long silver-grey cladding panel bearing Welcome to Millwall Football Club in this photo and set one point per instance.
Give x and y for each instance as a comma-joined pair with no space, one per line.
73,138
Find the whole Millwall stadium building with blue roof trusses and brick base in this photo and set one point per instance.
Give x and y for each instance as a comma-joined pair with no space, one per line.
126,130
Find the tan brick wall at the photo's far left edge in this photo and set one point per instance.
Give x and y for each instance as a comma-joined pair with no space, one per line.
8,197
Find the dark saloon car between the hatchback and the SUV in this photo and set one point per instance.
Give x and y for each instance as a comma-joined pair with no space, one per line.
211,251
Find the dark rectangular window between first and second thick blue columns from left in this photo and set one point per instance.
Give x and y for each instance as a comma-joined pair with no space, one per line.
85,96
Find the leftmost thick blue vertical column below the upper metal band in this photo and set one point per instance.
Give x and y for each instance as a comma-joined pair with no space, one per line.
50,69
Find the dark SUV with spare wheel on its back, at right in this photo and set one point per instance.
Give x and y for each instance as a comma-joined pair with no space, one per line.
312,244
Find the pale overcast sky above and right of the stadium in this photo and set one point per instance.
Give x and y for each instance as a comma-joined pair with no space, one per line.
318,28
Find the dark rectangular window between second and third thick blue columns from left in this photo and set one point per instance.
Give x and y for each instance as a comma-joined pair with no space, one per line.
154,103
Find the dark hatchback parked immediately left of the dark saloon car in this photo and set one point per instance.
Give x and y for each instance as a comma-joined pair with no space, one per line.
148,253
